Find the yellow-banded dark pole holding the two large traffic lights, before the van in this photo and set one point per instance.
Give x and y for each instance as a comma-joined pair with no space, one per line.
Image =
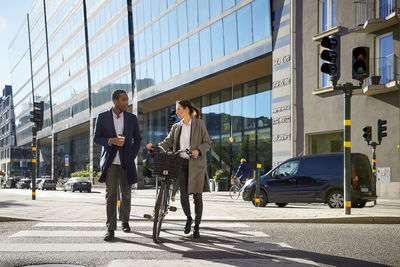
348,90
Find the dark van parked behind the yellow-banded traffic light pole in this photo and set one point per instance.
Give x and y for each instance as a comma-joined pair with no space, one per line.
313,179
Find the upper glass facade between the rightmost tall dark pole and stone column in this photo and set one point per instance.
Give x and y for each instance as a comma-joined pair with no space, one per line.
162,36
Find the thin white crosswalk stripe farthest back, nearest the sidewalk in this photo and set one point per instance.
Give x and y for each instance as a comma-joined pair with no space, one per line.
142,224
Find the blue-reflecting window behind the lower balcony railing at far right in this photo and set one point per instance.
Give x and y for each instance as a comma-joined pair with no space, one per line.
386,58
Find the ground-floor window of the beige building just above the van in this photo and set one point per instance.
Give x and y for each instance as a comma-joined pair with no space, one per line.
325,143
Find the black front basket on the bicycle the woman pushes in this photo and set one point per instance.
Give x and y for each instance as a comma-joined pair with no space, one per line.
167,165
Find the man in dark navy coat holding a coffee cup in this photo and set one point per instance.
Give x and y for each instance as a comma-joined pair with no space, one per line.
117,131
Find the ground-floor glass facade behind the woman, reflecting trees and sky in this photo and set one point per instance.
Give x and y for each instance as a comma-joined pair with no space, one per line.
243,112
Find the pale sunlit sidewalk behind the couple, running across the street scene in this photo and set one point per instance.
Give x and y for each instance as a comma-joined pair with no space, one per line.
218,206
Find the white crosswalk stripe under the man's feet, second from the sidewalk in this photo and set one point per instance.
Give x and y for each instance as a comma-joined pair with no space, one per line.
172,233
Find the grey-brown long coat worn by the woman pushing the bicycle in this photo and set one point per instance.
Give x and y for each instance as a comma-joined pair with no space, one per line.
199,139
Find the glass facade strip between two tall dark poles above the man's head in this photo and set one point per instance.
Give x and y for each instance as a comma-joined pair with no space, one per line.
109,50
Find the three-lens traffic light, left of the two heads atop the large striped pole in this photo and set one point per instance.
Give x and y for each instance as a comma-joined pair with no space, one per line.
331,55
